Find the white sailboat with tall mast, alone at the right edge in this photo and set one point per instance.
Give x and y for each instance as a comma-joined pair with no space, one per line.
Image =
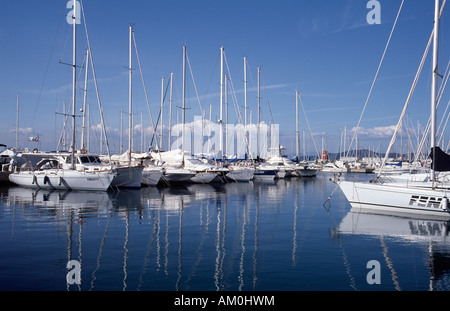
426,198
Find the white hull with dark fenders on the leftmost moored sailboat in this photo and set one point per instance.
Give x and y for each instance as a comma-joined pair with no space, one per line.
62,179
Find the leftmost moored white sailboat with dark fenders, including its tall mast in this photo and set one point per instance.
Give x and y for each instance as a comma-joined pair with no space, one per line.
60,170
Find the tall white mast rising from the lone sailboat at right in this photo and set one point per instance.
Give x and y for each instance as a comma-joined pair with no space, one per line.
434,81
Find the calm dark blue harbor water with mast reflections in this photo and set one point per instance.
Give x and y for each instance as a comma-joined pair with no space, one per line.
255,236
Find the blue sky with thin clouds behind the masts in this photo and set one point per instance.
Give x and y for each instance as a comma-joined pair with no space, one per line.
324,49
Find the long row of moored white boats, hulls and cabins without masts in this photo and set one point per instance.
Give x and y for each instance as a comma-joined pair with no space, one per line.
83,171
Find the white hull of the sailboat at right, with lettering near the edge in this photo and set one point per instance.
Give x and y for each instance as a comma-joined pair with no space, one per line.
396,198
